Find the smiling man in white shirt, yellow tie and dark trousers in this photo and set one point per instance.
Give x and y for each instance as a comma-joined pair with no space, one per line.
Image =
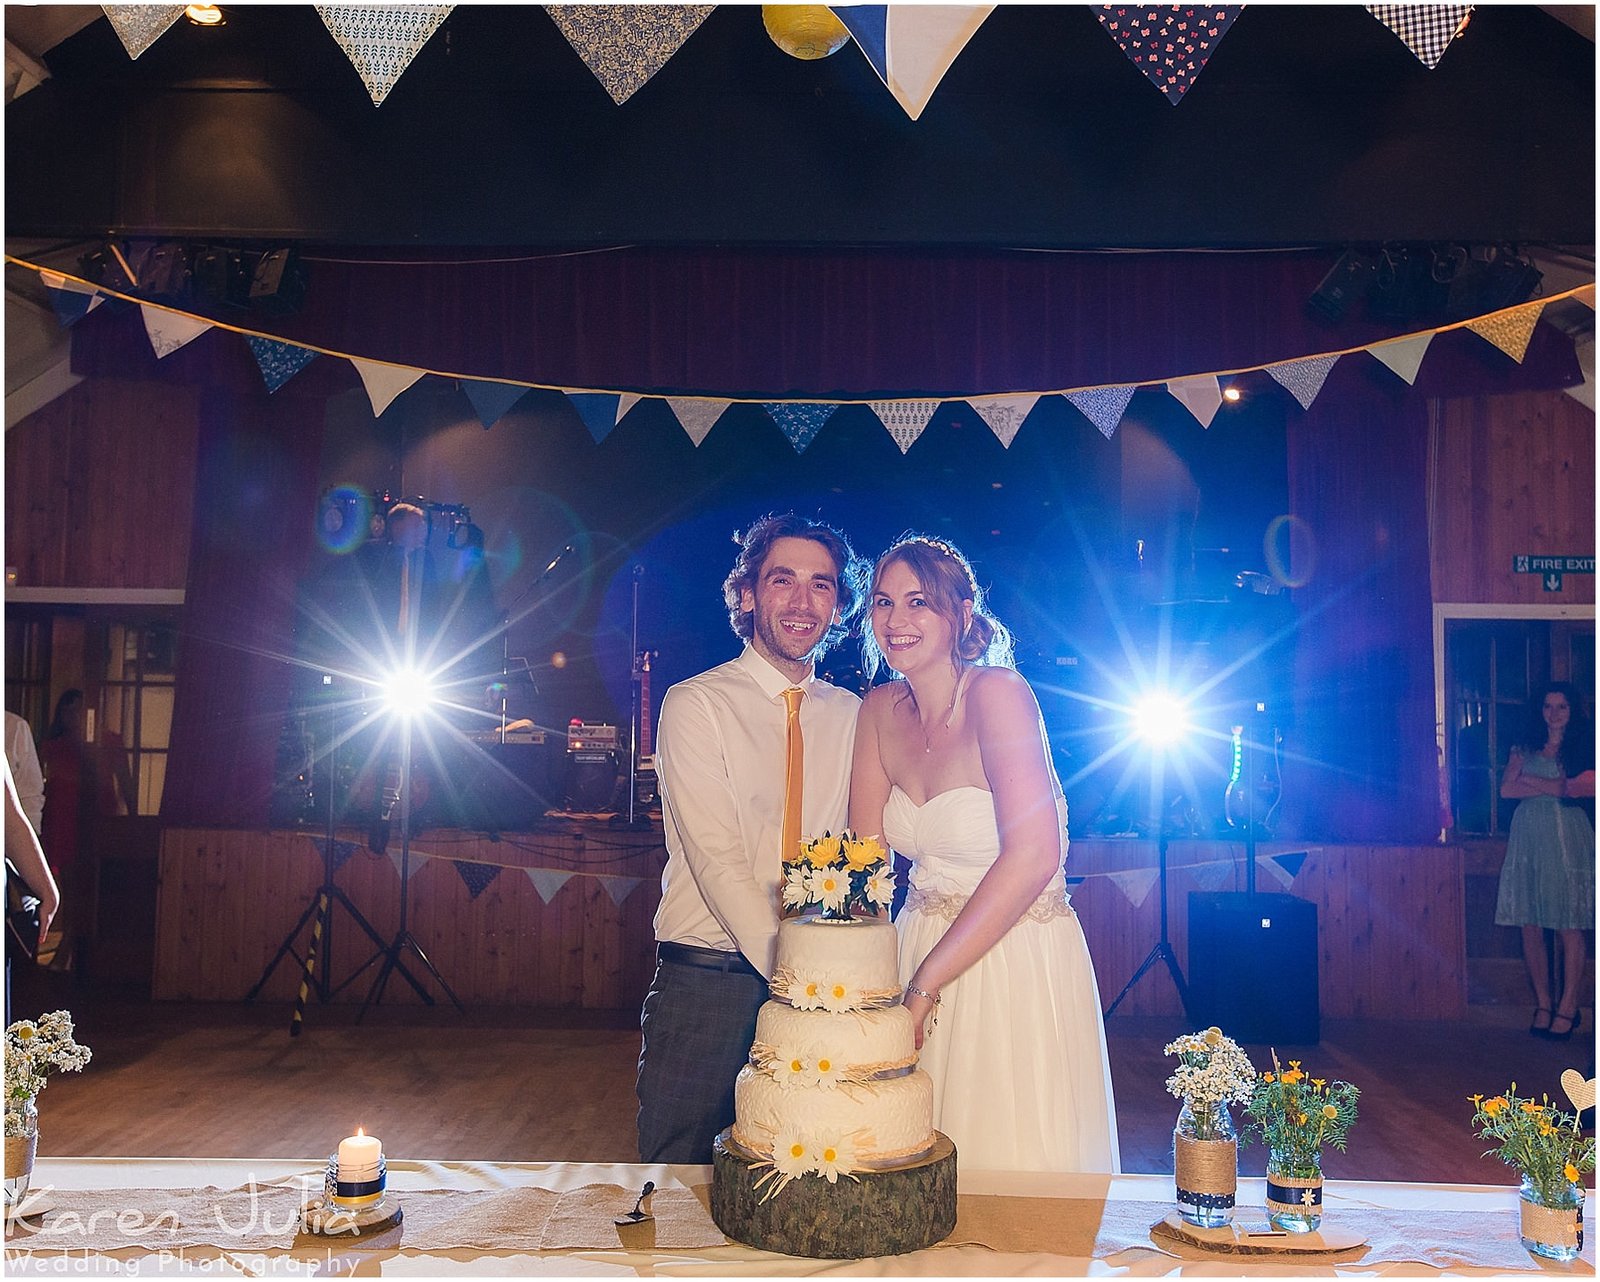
722,758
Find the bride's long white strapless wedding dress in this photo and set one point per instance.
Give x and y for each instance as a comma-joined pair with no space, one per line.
1018,1057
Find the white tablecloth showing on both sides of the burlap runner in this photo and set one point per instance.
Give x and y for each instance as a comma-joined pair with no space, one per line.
1498,1208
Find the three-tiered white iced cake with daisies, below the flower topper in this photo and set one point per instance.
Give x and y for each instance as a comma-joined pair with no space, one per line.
833,1084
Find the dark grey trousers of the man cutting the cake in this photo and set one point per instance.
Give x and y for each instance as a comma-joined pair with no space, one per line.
698,1028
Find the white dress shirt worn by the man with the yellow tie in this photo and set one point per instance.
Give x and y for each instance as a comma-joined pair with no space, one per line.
721,764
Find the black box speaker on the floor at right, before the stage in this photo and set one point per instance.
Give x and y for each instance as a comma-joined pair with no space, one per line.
1254,968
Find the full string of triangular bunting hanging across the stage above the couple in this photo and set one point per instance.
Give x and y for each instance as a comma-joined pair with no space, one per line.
799,420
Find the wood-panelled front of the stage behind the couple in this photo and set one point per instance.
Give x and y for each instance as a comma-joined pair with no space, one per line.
561,918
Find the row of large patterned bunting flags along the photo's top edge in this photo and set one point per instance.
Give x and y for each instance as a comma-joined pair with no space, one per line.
910,47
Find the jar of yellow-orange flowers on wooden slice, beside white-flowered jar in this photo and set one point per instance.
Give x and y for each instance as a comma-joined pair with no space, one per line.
1295,1115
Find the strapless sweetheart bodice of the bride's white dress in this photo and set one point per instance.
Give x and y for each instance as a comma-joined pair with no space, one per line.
953,839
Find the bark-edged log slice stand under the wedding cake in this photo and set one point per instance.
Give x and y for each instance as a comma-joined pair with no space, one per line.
881,1212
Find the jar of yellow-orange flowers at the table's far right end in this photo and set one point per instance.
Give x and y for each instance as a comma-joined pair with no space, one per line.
1553,1155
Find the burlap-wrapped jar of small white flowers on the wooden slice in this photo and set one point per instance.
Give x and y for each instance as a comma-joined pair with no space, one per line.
1212,1073
